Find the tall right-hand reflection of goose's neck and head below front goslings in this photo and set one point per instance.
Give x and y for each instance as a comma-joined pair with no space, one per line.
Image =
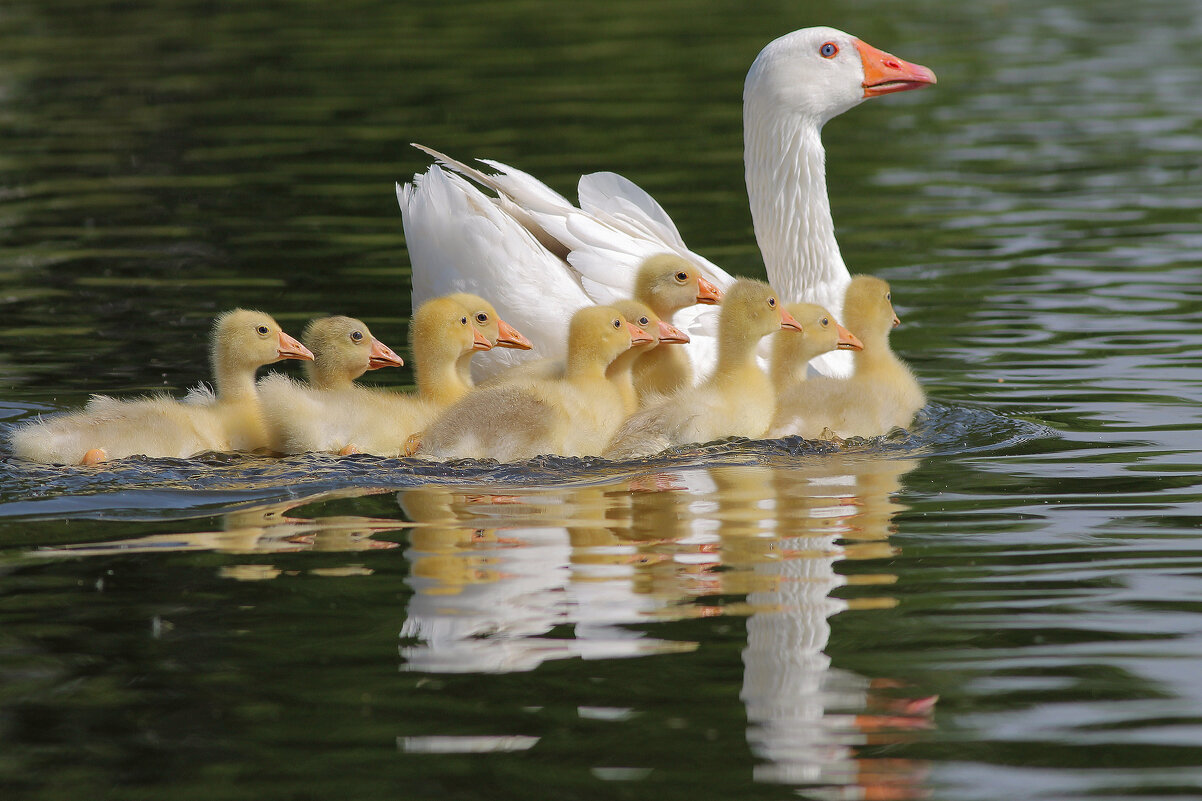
783,532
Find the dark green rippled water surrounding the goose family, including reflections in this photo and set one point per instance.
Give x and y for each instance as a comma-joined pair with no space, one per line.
1003,603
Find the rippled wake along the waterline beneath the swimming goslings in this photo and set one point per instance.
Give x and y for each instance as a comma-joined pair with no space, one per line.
163,489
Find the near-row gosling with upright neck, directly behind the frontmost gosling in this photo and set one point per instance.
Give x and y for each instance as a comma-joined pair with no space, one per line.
737,399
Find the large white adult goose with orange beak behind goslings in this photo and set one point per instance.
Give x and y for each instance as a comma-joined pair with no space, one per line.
531,245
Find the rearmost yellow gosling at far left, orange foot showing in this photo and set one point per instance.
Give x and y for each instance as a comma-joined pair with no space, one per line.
227,420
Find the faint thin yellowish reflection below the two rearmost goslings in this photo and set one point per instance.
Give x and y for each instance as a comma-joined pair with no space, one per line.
264,530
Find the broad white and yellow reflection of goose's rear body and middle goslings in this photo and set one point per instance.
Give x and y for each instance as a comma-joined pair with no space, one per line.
503,584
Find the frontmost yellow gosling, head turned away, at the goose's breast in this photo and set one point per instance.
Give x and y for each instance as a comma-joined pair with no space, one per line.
880,395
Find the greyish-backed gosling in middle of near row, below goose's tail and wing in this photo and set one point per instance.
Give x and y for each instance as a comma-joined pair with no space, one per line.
569,417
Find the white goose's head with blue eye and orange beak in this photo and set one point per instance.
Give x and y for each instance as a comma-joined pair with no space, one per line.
820,73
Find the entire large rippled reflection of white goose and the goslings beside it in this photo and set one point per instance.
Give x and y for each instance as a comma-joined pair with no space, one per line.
507,583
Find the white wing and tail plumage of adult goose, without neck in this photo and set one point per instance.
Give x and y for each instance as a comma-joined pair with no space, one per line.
537,257
